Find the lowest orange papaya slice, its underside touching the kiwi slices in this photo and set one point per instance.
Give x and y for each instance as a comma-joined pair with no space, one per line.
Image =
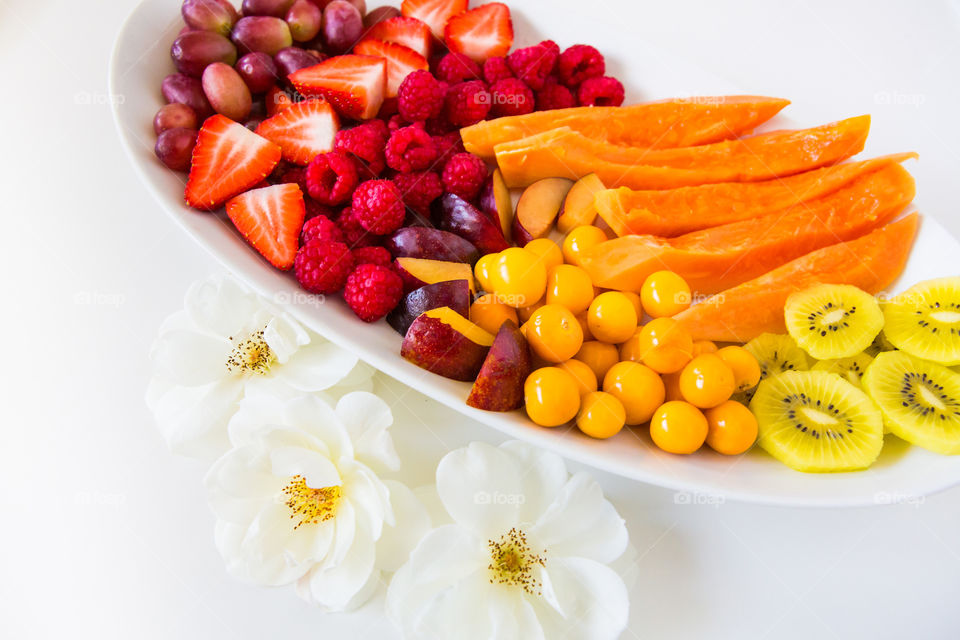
871,262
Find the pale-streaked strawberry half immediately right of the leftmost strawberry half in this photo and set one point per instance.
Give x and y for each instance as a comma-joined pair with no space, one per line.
302,130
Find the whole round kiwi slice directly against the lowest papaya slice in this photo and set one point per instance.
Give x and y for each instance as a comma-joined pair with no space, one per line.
831,321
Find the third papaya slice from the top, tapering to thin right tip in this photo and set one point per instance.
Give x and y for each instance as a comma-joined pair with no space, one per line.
673,212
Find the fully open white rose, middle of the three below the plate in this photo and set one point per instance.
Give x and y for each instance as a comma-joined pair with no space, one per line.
298,498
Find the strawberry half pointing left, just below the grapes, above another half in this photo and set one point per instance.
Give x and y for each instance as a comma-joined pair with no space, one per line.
353,84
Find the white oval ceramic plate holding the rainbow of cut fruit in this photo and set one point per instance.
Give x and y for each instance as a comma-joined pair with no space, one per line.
141,60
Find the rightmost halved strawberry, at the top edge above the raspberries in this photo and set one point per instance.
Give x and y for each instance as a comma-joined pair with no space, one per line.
481,33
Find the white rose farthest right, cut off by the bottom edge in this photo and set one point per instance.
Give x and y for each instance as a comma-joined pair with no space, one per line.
527,555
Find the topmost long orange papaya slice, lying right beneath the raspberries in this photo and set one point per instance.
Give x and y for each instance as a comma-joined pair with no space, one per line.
677,122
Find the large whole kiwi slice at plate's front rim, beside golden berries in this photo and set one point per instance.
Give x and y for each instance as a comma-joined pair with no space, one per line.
817,422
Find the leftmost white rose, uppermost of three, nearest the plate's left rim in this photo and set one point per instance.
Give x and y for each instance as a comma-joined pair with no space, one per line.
228,344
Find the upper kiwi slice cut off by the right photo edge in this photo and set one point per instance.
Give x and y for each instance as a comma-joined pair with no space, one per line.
924,320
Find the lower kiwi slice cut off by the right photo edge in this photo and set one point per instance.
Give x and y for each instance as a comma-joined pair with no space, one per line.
920,400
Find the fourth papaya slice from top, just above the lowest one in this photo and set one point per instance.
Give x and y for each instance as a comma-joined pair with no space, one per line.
712,260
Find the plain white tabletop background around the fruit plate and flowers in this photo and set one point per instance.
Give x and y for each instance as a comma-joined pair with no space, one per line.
104,534
